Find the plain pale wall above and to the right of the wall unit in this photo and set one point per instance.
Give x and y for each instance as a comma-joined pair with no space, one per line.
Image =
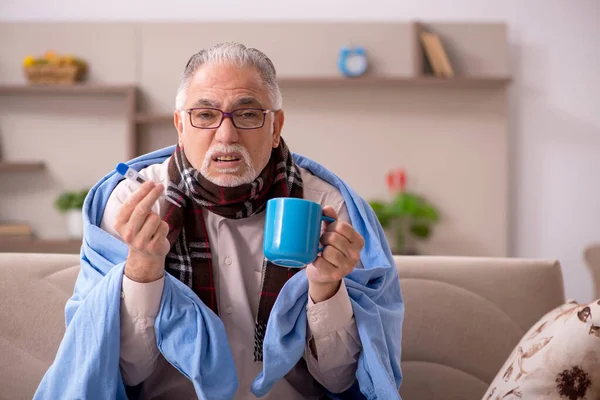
555,100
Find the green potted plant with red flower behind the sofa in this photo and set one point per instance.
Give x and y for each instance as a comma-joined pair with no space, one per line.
408,217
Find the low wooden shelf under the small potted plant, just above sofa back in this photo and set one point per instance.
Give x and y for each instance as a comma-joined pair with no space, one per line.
32,245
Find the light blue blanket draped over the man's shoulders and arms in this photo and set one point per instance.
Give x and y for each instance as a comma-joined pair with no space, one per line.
87,362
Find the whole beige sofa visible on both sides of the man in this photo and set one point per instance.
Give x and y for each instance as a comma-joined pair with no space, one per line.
464,316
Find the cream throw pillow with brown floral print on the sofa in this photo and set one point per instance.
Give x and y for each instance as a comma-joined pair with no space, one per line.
558,359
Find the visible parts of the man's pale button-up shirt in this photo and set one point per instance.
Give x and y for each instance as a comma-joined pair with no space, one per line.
236,247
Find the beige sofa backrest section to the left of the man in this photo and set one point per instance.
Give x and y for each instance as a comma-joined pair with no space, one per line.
33,292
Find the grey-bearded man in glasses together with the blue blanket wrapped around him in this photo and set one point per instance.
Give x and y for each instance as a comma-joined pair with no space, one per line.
224,322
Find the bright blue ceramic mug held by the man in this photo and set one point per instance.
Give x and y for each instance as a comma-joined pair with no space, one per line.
292,231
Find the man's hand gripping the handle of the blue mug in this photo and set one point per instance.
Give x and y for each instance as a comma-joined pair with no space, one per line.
341,254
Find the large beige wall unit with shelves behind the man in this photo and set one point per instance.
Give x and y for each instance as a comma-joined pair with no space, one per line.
390,115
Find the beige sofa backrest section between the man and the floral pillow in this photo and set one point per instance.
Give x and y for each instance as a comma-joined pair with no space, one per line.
464,315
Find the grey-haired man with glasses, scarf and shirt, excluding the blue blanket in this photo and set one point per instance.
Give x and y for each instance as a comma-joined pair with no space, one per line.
230,153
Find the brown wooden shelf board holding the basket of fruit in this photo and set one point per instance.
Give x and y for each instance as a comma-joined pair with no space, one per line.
83,88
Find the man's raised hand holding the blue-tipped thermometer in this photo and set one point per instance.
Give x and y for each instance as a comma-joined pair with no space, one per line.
145,233
